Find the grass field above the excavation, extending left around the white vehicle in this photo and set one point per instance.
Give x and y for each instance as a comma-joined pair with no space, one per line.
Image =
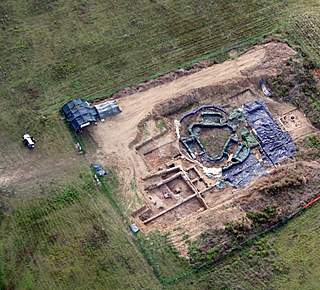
53,50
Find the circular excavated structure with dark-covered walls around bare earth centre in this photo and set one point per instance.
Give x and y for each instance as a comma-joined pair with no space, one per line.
214,137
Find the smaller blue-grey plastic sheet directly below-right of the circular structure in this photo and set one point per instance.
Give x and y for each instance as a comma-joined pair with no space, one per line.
240,174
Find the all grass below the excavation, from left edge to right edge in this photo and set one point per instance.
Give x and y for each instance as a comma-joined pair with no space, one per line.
76,238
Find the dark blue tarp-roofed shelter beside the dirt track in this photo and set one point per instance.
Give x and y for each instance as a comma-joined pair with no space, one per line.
79,113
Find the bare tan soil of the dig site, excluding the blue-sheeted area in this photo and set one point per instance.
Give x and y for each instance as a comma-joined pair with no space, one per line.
141,150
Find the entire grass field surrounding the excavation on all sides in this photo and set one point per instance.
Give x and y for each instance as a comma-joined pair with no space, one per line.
69,234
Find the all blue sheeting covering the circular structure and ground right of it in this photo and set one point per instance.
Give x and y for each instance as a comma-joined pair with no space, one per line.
275,144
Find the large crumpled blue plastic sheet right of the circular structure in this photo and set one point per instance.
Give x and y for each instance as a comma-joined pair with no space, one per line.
276,144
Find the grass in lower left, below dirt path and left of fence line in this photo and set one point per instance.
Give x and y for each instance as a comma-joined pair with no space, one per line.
73,239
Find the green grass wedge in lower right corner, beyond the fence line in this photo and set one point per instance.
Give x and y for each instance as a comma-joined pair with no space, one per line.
284,259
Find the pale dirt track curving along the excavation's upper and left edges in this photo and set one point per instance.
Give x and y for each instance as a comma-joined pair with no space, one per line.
115,135
